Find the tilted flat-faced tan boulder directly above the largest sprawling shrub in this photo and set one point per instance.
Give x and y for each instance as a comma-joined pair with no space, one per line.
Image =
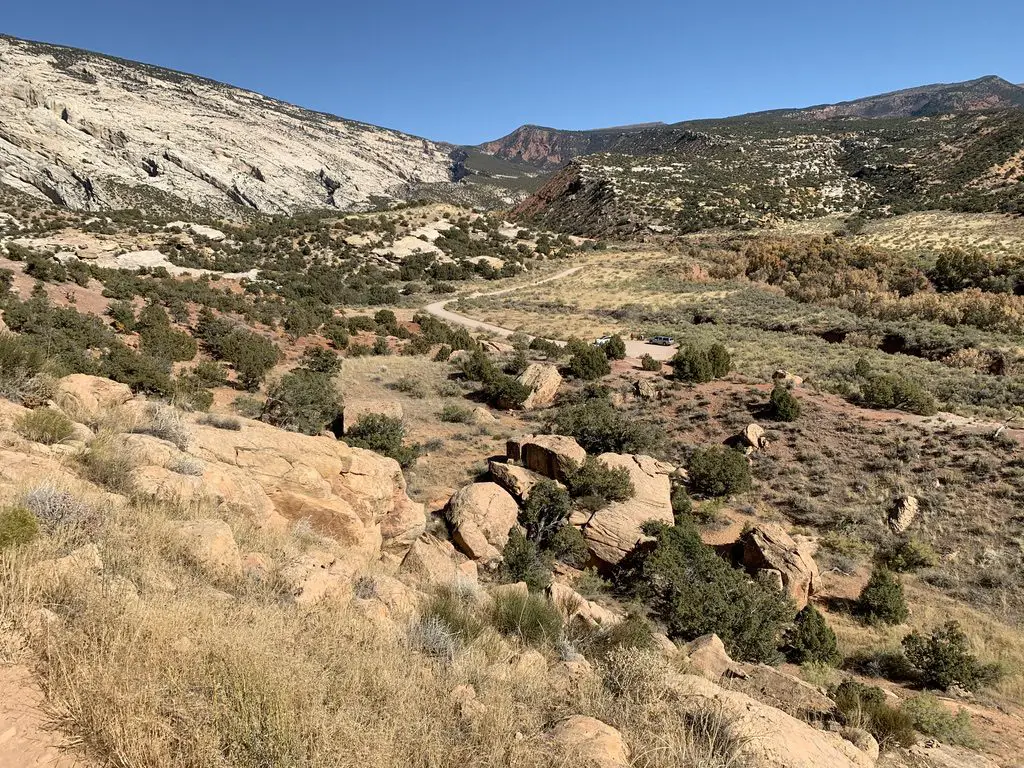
613,532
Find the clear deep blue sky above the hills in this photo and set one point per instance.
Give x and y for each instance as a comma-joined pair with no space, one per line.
467,72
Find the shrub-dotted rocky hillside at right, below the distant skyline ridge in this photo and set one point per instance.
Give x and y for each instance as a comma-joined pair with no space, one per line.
762,169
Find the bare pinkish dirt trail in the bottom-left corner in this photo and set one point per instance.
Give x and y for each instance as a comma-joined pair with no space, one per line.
26,739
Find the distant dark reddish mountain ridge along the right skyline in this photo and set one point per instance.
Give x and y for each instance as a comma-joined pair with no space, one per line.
549,149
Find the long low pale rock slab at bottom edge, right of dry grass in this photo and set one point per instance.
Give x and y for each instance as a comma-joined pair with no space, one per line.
764,736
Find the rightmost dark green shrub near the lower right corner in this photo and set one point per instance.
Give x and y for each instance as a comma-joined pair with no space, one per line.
945,660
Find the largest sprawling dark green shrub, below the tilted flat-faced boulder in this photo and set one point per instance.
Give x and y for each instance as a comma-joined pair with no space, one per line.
695,592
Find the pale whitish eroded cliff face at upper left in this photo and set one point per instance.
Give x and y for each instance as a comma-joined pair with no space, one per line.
94,134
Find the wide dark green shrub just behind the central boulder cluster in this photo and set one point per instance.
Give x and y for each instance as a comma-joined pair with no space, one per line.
600,429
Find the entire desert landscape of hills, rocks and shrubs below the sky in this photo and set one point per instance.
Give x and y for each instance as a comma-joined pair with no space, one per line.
692,445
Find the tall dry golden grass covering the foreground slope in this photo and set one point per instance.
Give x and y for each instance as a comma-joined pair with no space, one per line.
249,679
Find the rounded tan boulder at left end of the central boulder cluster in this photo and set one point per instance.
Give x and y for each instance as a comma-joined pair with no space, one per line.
482,516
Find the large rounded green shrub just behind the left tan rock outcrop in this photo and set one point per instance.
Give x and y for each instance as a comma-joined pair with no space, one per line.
303,401
